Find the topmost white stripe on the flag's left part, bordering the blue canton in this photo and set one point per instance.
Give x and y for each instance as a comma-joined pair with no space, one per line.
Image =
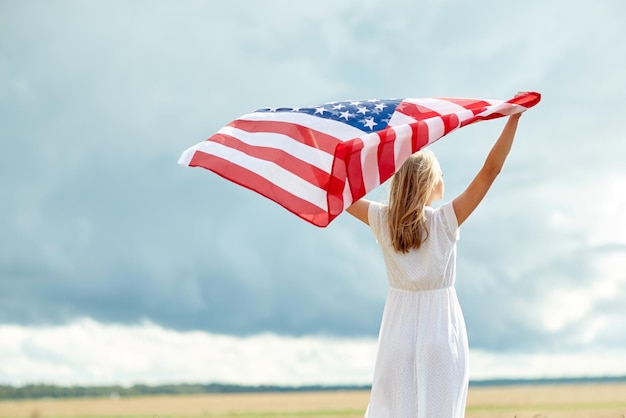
339,130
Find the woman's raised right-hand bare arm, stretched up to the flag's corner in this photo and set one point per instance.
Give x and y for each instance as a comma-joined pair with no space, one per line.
467,201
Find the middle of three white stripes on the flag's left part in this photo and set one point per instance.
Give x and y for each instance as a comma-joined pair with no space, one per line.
313,156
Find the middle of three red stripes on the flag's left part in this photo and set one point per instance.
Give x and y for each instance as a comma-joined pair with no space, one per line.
300,168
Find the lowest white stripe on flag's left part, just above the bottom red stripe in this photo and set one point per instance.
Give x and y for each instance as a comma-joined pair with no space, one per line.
270,171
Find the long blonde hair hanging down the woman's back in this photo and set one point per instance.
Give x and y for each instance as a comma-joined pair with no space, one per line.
410,188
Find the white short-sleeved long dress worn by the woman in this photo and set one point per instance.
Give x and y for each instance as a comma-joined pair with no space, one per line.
422,365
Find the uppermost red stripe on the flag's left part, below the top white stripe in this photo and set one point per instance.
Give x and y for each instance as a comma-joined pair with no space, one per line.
302,134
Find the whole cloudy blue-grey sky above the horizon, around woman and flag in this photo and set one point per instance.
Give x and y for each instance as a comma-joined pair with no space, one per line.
117,265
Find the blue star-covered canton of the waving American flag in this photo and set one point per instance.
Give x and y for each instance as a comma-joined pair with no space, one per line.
369,116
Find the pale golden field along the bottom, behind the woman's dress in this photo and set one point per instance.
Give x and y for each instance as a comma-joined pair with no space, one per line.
543,401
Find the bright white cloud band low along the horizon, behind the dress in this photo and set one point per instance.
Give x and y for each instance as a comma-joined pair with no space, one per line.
88,352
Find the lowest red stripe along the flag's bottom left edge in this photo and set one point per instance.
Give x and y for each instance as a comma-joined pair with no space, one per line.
261,185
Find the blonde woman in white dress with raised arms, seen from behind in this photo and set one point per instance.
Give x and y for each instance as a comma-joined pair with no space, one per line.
422,364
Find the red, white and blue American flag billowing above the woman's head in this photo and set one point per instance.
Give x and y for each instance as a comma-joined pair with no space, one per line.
316,161
